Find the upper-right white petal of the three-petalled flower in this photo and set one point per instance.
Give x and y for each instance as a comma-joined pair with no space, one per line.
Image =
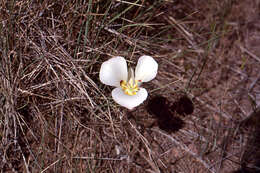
146,69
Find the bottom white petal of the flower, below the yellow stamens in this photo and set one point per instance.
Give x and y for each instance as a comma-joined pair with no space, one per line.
129,101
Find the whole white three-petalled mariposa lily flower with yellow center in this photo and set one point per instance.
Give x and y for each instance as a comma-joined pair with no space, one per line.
128,93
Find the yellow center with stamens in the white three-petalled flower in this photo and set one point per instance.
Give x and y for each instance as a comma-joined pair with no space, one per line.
130,87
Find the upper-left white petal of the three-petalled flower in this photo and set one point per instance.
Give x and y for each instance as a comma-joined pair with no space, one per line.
113,71
